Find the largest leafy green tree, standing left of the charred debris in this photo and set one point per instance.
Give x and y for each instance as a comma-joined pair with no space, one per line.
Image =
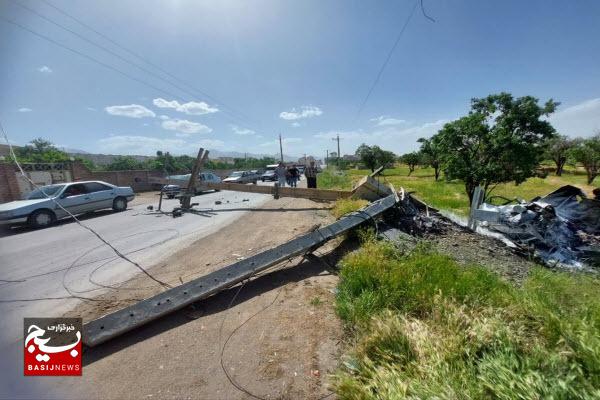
501,140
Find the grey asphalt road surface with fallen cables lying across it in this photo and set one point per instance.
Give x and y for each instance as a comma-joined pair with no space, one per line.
44,272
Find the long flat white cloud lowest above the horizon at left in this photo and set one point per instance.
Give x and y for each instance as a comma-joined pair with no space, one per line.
144,145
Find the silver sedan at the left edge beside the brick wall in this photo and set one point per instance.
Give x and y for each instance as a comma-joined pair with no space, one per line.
39,209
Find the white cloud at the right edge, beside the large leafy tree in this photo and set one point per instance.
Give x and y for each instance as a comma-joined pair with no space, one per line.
582,119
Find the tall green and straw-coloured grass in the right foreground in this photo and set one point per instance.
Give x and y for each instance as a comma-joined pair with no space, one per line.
425,327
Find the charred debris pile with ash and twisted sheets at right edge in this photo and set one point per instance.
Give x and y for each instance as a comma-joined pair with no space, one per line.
562,227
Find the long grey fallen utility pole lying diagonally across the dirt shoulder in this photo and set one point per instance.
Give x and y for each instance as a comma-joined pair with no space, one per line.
136,315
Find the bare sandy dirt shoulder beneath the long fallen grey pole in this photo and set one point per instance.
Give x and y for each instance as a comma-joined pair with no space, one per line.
281,334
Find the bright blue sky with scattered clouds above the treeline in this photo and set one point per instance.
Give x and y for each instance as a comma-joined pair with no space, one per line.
299,68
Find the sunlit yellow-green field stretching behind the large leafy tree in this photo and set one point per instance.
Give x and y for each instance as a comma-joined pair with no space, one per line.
451,196
